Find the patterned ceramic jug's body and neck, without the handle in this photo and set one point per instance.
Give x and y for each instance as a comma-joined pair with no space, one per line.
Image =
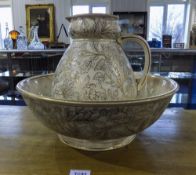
94,67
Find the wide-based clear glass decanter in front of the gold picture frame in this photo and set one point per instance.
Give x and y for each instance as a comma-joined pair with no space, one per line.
35,44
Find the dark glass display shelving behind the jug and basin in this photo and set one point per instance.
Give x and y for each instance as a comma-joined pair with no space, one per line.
166,62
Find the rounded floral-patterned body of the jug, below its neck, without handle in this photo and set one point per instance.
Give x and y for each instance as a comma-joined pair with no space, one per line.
94,70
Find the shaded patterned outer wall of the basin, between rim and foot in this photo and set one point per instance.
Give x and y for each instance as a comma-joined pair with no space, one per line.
97,123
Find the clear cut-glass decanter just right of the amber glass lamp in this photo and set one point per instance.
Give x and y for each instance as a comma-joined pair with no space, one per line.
21,40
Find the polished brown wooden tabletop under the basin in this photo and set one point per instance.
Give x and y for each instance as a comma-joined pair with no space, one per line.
27,147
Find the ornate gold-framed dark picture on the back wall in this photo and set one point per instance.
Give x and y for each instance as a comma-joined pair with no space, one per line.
41,15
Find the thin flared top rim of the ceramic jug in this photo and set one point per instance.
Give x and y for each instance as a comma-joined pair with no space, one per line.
91,15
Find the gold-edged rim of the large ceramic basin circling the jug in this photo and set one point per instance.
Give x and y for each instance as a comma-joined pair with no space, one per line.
168,93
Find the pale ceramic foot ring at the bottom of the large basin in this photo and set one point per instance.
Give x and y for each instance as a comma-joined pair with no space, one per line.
96,145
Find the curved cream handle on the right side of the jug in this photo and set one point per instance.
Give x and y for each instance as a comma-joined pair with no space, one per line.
147,54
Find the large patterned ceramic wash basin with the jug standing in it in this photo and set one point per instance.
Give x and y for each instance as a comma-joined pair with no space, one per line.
97,125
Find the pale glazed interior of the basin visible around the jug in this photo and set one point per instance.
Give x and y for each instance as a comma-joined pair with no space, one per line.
40,87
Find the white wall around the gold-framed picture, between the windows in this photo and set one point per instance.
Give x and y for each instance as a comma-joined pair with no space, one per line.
62,9
